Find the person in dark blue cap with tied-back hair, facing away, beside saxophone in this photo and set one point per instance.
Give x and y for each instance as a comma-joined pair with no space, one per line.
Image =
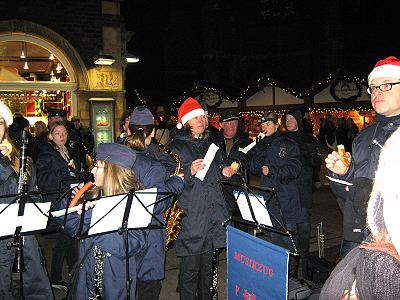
152,174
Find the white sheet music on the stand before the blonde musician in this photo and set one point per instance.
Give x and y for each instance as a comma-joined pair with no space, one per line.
138,216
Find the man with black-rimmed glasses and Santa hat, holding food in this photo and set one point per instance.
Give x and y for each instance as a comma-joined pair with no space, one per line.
384,89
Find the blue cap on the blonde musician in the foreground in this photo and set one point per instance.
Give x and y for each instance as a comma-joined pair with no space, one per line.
117,154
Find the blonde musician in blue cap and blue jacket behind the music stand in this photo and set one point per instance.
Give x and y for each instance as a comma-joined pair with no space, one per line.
113,174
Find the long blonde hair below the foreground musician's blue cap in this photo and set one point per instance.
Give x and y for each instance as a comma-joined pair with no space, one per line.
119,180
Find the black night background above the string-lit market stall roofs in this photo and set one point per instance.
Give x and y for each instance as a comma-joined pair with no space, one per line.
228,45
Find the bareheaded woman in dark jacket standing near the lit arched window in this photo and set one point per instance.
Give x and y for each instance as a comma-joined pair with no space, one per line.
55,169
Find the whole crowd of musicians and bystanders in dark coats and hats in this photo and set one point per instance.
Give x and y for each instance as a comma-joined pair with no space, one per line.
285,157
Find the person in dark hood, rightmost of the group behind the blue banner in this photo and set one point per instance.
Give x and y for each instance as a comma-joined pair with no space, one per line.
309,158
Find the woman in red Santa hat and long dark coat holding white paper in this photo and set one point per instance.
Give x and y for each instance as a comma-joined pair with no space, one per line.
202,200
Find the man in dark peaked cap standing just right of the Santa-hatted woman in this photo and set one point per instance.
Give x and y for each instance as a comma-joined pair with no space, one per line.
230,139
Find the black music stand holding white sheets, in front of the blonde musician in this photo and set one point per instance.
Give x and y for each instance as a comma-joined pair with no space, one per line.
113,214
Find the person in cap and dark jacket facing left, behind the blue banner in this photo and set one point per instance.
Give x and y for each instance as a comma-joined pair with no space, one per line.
276,158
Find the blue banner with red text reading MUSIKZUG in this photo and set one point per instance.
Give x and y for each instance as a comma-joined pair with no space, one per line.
257,269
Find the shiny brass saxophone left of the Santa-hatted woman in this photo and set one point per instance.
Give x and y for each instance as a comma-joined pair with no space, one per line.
174,214
